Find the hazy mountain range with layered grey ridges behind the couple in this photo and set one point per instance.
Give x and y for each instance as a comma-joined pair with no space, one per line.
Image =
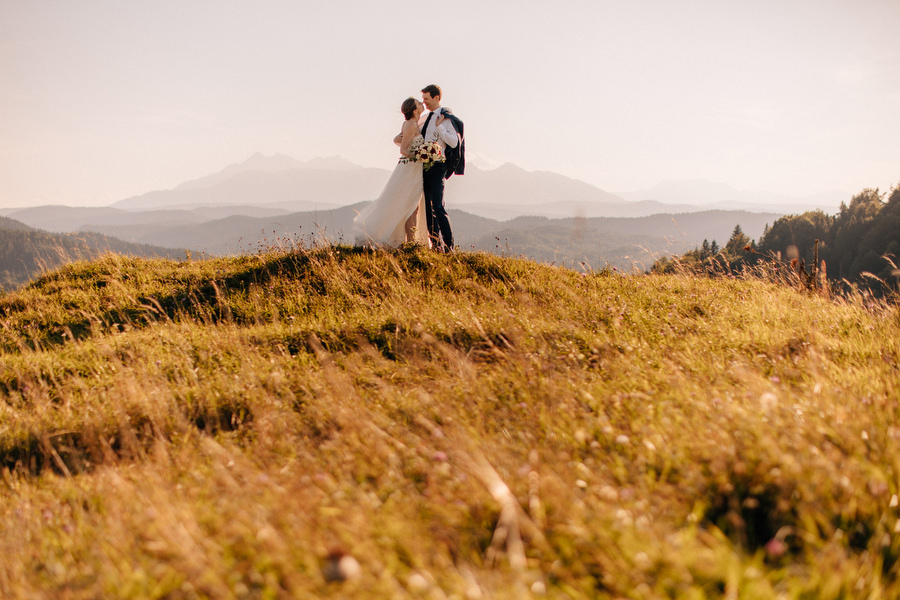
269,200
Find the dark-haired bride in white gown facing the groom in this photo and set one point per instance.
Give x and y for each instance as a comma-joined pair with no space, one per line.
398,214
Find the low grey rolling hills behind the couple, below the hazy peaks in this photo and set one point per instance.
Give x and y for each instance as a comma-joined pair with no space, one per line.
626,243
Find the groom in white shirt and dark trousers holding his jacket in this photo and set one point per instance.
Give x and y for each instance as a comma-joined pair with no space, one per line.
437,127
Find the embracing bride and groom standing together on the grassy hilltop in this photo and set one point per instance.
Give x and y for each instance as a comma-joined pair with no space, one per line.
411,209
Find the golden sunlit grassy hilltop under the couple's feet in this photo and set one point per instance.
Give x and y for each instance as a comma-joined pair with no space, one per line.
463,426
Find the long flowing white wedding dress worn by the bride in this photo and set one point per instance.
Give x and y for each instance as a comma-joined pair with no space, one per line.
383,223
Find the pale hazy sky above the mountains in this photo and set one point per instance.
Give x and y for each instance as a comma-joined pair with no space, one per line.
105,99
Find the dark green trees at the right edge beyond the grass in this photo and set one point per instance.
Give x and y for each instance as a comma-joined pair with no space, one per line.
858,246
